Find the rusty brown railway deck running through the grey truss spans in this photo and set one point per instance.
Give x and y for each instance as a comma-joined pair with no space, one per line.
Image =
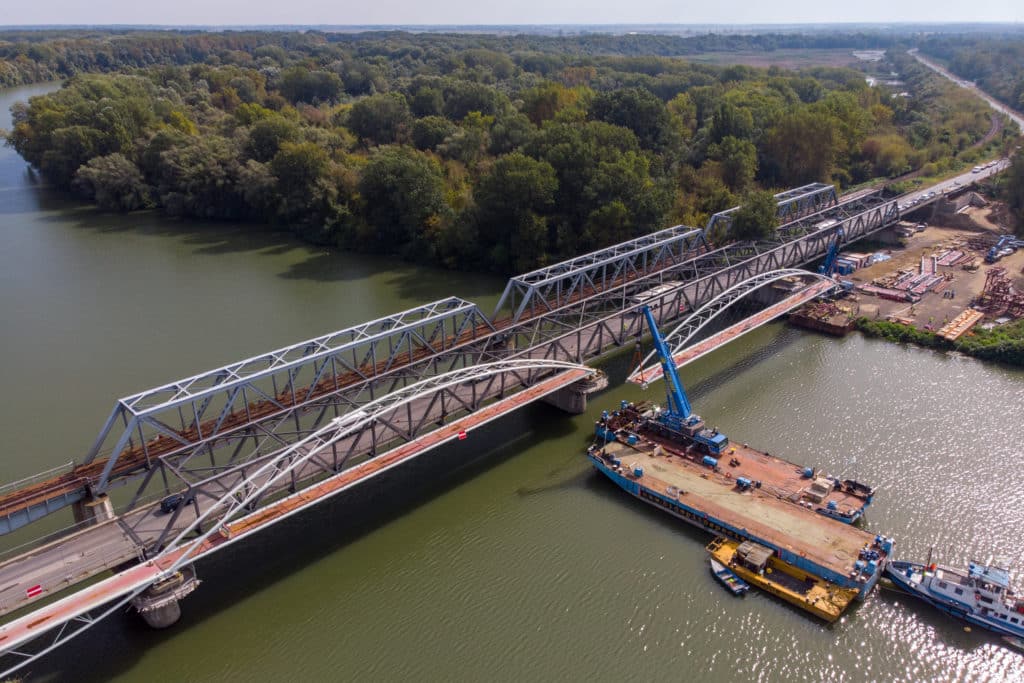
136,458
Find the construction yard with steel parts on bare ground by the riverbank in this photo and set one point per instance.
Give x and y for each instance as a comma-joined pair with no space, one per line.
937,287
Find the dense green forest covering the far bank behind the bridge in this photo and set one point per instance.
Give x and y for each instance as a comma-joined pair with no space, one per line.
482,153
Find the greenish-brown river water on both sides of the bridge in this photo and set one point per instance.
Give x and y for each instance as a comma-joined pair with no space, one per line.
503,558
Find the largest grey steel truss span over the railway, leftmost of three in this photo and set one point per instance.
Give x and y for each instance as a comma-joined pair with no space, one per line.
185,416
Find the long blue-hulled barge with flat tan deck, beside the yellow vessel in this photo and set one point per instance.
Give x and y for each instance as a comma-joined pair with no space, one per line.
773,516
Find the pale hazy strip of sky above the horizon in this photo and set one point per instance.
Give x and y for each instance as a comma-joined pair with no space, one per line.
350,13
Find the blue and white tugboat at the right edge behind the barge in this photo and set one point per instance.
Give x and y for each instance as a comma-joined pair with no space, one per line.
980,595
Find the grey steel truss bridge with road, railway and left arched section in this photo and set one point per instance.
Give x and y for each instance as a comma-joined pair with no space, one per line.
254,442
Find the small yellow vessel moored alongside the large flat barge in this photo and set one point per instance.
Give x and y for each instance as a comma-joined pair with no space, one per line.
758,566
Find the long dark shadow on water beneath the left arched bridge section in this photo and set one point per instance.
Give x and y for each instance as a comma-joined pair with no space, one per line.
114,647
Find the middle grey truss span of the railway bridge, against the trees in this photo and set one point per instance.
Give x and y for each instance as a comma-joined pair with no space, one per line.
556,286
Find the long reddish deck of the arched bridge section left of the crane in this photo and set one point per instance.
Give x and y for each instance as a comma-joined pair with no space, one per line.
31,626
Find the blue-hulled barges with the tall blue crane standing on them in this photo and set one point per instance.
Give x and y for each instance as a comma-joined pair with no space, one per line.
669,459
